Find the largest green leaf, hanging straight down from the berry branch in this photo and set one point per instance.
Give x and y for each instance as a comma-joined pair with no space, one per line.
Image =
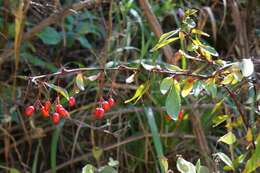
173,102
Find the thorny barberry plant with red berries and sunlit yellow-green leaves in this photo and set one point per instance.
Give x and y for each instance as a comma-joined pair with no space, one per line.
207,75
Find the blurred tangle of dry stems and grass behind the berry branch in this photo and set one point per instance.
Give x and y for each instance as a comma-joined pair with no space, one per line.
45,36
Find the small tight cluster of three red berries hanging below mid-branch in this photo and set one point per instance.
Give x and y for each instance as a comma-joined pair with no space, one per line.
104,106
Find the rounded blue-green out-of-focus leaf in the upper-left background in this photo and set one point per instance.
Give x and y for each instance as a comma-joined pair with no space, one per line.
49,36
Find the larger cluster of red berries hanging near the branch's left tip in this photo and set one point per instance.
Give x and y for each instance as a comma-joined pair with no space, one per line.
60,111
